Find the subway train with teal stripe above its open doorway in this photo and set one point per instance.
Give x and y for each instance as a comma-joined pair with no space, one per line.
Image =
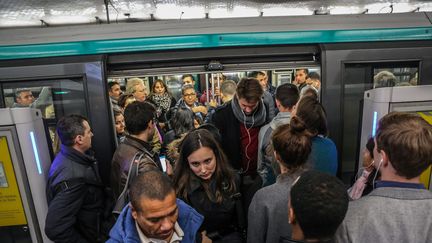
76,62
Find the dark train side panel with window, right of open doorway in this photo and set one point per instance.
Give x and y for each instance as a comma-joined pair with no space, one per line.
359,77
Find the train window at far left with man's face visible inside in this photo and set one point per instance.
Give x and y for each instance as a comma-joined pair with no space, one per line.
55,98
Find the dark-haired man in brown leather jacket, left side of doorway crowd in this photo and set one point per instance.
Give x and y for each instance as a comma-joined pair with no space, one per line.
140,123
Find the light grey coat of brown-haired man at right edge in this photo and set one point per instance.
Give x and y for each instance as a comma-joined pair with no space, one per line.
389,214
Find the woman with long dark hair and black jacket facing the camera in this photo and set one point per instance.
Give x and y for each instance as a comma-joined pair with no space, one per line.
205,180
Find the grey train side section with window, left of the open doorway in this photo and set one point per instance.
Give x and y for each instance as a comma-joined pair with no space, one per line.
62,89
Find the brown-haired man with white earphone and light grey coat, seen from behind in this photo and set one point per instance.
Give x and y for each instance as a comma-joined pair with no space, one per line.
396,210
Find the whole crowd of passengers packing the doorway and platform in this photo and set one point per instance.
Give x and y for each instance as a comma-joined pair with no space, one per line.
251,164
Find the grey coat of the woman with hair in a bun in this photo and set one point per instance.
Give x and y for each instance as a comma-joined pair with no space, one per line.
268,212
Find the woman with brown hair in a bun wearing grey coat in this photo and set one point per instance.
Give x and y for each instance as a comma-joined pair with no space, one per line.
268,212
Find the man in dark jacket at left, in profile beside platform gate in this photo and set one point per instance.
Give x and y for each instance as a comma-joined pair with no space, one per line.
74,190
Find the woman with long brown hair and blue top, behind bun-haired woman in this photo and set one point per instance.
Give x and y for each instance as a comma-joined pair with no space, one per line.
323,156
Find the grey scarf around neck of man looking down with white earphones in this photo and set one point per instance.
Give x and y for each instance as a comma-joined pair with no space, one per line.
256,119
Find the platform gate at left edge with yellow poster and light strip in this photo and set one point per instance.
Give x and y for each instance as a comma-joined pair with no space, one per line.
24,166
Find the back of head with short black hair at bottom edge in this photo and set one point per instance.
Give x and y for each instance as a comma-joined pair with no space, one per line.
318,204
